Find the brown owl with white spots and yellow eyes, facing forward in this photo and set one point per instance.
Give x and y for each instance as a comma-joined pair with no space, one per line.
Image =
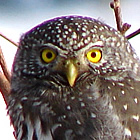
75,78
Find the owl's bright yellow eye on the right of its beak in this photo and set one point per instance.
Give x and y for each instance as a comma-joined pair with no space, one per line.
94,55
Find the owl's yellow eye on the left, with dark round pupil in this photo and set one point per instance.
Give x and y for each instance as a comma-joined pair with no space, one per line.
48,55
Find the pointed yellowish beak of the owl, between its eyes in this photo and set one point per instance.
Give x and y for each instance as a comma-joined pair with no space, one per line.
71,72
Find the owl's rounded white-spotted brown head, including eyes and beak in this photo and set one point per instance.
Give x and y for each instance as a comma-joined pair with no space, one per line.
71,47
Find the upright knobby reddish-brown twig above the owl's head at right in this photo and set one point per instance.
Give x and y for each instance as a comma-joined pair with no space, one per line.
117,10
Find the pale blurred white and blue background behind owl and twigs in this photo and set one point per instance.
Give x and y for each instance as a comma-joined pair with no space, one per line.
19,16
